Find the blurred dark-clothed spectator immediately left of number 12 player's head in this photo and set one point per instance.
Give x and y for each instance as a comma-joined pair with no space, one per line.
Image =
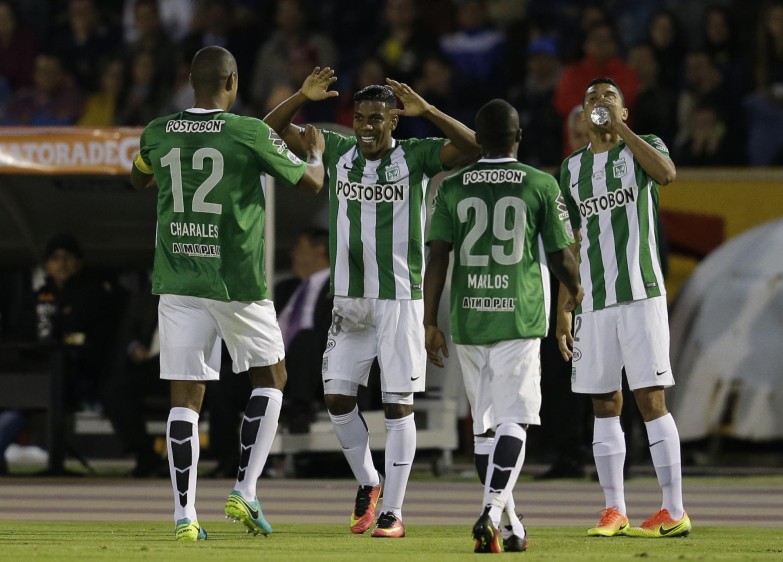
146,92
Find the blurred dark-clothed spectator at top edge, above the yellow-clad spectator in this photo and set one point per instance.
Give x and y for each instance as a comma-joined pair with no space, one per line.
82,41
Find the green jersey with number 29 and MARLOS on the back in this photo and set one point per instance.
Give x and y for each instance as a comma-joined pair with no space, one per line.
500,217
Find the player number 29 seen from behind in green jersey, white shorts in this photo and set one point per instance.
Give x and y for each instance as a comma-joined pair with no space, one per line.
504,221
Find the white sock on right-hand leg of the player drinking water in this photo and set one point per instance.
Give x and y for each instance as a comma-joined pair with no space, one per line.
665,452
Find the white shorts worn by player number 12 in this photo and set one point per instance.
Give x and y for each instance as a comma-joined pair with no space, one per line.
191,329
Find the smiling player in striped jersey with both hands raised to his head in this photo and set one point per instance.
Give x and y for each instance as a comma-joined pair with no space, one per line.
377,194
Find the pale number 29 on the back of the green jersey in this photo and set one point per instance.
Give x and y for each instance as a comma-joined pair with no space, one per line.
501,232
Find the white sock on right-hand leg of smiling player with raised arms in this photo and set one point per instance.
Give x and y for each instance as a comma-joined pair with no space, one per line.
400,450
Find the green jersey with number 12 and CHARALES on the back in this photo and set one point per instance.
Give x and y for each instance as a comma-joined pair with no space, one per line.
208,166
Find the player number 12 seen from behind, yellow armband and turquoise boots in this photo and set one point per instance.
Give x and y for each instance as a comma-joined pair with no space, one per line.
209,272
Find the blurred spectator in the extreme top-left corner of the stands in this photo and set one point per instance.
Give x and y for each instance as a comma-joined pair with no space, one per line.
18,47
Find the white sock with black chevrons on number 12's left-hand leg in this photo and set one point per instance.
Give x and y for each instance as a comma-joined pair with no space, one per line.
183,448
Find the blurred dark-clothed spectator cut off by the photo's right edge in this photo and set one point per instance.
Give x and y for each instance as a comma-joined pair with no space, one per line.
765,105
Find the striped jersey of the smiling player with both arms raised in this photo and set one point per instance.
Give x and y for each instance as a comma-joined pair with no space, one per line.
376,216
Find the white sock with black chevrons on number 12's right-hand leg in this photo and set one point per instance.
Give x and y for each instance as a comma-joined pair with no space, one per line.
259,427
